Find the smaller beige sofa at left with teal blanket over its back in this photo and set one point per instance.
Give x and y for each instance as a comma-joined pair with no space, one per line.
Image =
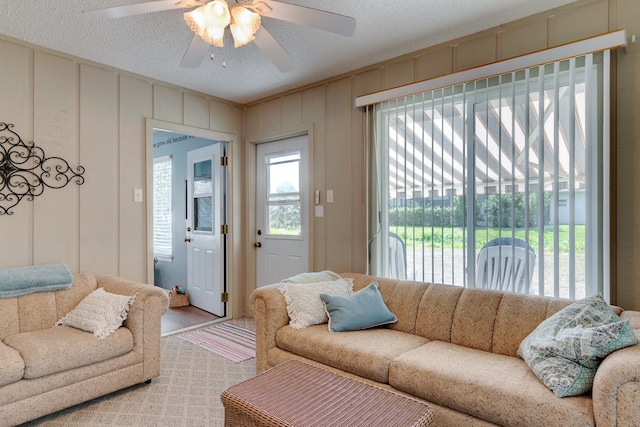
63,366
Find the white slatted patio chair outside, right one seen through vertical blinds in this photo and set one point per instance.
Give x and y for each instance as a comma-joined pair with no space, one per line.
502,265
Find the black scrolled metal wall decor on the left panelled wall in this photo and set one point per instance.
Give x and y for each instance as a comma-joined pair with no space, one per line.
25,171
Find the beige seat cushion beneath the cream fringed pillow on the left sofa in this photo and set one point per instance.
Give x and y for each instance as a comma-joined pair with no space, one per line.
52,350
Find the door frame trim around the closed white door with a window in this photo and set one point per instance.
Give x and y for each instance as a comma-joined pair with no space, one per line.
252,143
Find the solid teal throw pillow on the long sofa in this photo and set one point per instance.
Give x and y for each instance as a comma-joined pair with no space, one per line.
362,310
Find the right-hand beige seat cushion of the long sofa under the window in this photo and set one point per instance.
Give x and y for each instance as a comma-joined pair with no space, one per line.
496,388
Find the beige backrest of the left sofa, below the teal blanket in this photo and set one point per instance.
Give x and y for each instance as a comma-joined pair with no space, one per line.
41,310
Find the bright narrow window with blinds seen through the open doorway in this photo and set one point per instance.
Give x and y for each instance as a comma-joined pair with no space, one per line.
162,219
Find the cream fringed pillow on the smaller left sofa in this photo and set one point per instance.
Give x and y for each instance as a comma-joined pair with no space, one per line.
99,312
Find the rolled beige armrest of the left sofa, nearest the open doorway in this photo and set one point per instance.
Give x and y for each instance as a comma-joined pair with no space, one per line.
144,319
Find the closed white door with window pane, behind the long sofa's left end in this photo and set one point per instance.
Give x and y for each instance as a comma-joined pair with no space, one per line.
282,210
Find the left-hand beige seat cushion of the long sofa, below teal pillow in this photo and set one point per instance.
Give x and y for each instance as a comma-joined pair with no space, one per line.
366,353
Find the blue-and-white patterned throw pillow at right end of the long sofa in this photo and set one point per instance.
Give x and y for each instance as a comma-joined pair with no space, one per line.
566,349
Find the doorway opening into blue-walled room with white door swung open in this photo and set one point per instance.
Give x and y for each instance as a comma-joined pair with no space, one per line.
188,236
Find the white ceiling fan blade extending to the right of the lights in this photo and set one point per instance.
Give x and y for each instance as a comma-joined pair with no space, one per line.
323,20
